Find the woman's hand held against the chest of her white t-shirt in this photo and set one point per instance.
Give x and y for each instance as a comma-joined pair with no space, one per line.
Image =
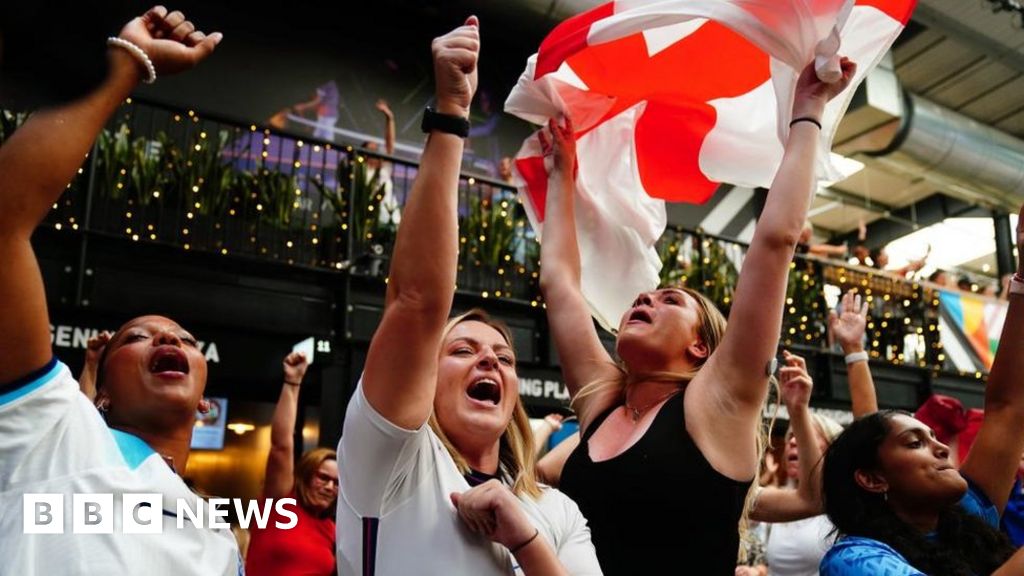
492,510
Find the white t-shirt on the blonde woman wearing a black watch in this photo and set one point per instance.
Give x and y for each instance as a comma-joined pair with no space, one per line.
395,510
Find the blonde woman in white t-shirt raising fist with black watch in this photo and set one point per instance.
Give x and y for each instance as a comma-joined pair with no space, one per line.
437,455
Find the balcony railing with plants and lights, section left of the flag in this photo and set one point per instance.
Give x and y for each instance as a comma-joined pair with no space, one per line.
161,176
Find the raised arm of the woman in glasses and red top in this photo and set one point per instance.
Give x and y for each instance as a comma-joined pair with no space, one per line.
280,478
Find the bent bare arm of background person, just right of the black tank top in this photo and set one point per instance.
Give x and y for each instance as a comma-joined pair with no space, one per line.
788,505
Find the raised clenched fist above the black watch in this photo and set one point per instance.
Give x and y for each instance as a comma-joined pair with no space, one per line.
456,56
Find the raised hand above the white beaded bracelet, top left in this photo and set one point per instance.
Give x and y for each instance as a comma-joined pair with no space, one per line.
172,43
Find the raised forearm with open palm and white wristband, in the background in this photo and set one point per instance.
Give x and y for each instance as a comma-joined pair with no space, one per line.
848,328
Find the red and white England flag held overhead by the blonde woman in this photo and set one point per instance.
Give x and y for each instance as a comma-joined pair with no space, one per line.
670,99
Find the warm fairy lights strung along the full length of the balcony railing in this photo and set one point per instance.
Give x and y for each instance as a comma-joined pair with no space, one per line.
272,202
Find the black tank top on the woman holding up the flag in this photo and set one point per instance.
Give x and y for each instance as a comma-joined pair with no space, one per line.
659,508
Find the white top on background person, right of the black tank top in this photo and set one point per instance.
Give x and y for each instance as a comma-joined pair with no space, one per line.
796,549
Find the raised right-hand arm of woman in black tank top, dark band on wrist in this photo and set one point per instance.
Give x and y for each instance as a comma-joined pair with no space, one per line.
724,399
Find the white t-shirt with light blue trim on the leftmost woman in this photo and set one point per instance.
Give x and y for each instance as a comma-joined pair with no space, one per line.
54,441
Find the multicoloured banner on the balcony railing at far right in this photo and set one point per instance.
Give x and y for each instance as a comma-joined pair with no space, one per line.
978,321
